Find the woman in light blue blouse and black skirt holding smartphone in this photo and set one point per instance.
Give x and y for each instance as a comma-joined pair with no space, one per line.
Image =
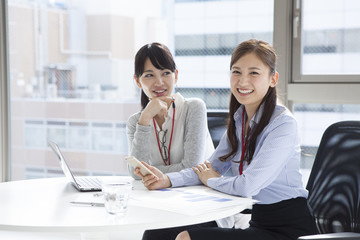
261,147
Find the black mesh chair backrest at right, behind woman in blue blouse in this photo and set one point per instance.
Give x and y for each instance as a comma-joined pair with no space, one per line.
334,183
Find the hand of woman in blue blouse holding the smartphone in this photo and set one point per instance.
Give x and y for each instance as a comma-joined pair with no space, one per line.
152,182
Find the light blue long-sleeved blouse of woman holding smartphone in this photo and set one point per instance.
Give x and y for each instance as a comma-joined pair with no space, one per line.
274,172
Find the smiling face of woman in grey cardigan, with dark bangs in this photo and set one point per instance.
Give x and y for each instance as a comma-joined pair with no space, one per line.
156,82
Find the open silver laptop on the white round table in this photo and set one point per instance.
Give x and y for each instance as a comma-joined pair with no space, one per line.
83,184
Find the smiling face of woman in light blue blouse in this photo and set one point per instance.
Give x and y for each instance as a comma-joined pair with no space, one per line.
250,80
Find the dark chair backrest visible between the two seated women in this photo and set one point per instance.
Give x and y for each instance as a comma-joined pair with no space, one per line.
217,124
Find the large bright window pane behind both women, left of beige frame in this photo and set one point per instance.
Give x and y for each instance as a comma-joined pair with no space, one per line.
71,80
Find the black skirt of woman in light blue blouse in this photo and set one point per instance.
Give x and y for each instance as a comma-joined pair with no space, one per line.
285,220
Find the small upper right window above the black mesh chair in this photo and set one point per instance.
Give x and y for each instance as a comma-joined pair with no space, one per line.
326,40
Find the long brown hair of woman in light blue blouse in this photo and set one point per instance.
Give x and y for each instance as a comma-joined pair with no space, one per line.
267,54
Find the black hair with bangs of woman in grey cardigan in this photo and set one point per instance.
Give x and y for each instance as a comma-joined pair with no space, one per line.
159,55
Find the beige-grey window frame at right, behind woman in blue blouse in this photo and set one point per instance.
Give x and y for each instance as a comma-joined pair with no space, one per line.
326,89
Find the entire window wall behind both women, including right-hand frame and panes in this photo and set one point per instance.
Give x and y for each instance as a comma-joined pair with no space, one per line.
71,80
